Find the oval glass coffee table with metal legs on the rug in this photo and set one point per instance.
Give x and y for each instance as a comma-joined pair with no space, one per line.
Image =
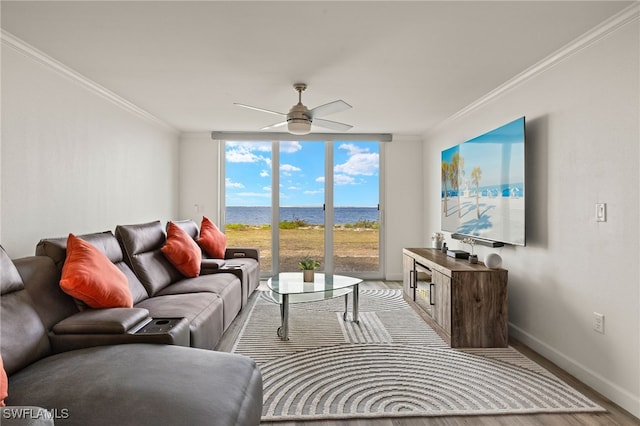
288,287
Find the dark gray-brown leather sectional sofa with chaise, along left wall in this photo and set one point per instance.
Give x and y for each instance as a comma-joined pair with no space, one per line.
151,364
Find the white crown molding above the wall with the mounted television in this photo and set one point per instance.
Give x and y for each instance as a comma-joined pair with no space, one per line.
600,31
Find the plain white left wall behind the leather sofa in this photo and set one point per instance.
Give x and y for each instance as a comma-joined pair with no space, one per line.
73,161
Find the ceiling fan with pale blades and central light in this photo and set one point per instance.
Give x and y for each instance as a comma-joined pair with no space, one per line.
300,118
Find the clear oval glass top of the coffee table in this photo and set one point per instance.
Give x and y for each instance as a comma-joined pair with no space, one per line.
292,283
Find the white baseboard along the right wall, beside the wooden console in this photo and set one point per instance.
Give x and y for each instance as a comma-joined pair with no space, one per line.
615,393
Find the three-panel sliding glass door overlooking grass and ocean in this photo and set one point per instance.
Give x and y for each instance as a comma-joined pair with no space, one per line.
326,204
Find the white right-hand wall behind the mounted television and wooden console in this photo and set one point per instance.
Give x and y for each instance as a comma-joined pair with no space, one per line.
582,148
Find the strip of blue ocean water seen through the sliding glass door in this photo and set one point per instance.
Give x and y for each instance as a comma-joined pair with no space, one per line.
312,215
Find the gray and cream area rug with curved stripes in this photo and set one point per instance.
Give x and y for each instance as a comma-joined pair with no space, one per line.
391,364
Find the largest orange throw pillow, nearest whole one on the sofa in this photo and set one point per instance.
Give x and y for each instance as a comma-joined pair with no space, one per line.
89,275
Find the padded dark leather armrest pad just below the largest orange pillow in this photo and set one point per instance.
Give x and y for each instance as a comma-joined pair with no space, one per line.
102,321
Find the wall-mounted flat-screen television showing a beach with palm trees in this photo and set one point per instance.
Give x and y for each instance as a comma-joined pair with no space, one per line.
483,186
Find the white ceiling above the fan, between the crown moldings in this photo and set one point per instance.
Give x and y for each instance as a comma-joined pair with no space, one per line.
403,66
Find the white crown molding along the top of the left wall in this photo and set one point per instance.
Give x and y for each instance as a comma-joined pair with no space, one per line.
20,46
